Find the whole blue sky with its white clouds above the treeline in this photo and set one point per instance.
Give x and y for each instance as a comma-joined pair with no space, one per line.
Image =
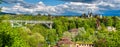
62,7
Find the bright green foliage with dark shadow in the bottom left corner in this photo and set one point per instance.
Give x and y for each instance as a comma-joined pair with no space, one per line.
10,37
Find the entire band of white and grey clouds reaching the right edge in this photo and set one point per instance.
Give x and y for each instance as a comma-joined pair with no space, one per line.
77,7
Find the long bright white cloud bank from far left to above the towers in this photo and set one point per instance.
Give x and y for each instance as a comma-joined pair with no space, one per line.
58,9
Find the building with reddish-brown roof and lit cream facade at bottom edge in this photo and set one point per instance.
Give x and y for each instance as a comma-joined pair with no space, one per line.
66,42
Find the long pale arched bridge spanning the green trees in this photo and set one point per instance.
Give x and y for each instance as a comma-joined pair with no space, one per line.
19,23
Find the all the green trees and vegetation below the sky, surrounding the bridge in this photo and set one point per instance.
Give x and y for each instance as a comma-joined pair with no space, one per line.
92,30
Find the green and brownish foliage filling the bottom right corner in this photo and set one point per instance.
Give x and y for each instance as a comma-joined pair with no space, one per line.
109,40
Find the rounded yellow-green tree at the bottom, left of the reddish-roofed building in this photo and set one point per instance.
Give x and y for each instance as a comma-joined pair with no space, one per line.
36,40
